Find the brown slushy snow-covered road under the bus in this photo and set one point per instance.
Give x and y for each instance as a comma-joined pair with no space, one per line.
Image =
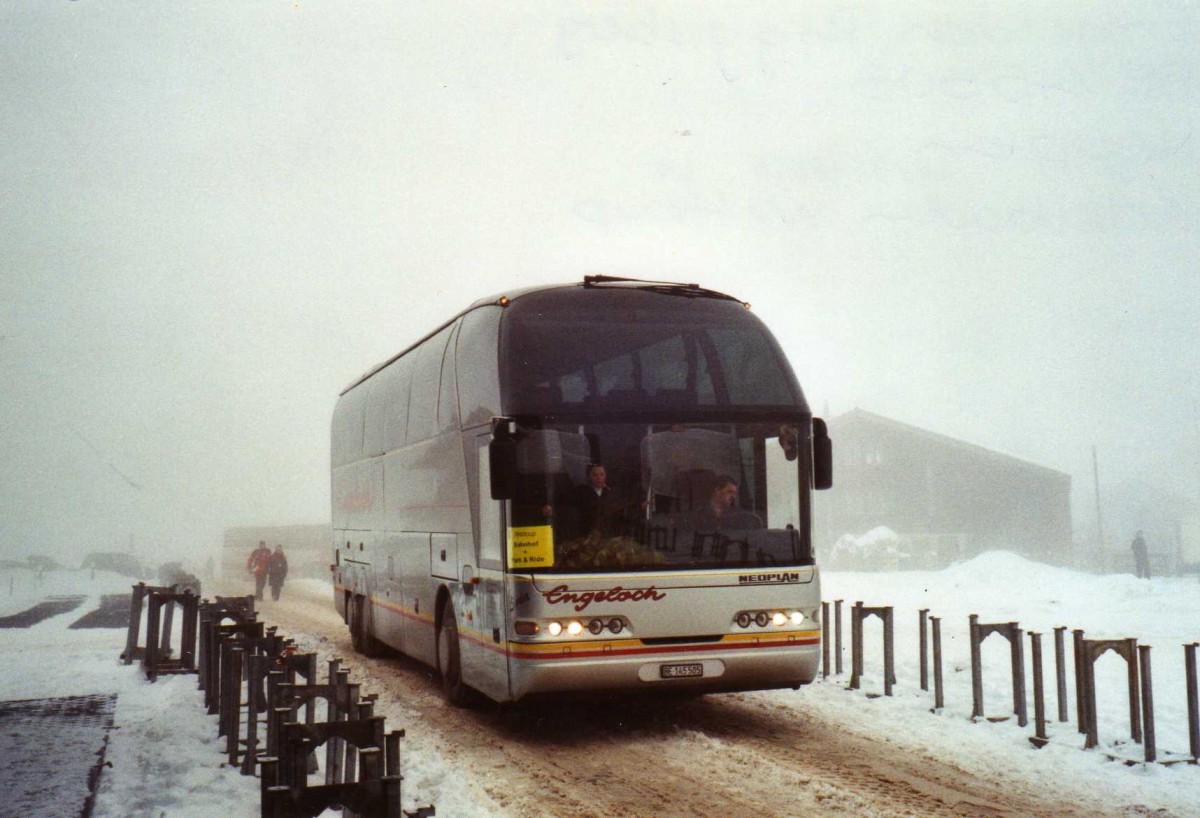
729,755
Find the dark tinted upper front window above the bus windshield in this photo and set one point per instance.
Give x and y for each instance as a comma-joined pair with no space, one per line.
602,350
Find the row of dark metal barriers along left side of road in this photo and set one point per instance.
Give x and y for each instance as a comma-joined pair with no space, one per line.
248,670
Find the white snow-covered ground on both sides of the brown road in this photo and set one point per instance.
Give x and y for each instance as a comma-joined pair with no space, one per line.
167,761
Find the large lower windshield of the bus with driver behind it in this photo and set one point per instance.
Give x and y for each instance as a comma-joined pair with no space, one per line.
661,497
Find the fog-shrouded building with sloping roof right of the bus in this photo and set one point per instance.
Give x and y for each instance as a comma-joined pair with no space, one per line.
935,498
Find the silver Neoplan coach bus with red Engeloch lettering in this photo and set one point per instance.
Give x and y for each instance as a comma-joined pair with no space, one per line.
589,488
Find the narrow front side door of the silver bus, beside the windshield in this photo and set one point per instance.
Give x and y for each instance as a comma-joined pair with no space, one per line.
484,659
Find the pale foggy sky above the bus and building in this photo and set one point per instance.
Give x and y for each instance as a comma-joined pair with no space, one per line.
980,220
